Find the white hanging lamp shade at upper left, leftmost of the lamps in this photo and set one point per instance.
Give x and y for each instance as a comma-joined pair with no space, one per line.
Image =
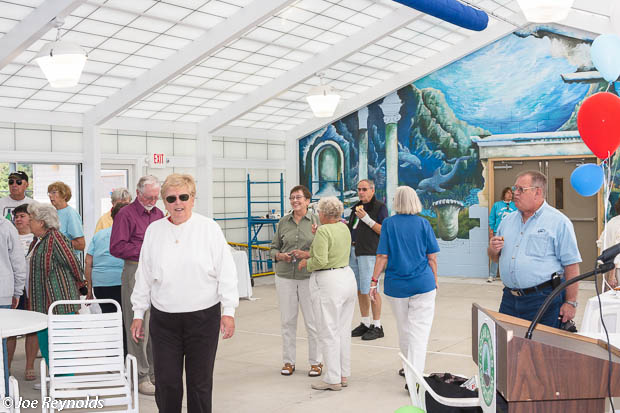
62,63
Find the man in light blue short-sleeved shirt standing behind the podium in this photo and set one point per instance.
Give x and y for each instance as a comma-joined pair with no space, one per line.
531,245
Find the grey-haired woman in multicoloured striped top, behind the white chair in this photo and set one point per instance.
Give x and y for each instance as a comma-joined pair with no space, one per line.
55,272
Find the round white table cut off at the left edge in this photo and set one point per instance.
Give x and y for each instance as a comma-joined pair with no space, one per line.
14,323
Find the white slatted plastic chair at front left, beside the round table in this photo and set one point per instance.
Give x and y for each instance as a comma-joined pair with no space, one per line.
86,362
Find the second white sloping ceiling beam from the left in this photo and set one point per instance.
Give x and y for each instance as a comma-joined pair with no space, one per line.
242,21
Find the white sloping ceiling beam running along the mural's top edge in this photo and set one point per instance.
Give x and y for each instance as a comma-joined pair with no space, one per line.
439,60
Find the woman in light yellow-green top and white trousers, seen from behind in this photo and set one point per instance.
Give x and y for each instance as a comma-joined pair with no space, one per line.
333,290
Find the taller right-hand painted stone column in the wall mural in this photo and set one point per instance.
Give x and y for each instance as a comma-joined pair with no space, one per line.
391,108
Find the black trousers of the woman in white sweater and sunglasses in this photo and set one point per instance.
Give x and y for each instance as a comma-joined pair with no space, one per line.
189,338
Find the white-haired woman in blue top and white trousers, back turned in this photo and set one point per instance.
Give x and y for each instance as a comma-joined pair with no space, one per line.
408,247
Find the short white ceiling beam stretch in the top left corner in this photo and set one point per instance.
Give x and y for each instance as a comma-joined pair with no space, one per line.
33,27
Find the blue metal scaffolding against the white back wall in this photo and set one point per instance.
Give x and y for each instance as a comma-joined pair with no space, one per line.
255,225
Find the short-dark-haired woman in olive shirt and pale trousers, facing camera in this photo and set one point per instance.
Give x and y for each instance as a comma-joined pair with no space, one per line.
291,242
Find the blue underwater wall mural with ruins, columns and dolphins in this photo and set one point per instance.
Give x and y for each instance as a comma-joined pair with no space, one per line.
421,134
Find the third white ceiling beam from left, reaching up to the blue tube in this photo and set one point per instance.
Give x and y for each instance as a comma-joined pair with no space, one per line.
334,54
